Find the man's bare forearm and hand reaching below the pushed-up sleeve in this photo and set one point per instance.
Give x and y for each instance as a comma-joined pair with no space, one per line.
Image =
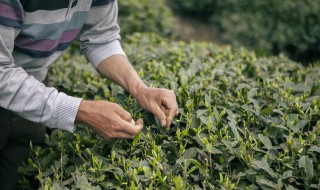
161,102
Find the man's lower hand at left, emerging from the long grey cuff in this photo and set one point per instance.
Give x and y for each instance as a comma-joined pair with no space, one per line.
108,119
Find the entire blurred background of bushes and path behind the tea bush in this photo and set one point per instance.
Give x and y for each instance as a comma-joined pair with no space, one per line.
267,27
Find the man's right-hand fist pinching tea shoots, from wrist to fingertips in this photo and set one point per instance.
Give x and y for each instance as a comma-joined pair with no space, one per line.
159,101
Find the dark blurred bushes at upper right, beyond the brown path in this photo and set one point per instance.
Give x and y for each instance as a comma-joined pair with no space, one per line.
272,27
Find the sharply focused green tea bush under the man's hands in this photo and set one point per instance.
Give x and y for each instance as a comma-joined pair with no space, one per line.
245,122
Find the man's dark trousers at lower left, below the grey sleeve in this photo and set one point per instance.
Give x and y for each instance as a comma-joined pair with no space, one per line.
15,136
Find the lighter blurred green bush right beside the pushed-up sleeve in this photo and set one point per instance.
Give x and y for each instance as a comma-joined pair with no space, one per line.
145,16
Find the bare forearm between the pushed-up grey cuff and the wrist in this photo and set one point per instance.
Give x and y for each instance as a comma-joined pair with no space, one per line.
118,69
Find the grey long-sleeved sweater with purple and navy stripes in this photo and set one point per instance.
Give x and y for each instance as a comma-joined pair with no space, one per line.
33,35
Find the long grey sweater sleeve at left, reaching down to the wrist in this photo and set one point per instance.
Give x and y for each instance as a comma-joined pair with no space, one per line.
21,92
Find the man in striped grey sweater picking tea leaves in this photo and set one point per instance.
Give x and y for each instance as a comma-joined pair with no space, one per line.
34,34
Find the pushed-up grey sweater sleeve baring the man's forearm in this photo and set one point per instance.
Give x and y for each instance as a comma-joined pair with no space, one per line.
100,36
